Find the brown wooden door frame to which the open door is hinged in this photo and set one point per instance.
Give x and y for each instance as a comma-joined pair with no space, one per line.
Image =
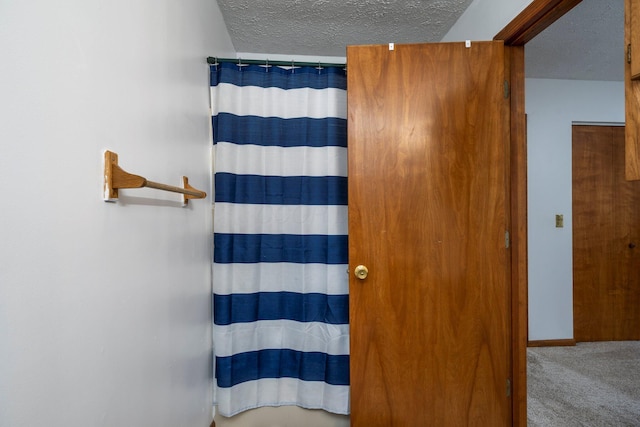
535,18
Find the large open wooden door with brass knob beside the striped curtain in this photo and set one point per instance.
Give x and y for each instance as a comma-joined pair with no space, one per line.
428,196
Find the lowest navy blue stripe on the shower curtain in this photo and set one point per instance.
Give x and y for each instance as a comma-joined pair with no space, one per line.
279,363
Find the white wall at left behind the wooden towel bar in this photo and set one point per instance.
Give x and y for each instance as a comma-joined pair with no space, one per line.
105,308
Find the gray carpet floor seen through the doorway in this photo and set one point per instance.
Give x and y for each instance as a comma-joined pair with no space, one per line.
591,384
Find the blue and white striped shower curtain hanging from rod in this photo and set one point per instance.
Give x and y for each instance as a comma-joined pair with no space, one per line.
280,282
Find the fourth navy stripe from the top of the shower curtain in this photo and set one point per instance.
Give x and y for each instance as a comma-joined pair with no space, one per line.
305,249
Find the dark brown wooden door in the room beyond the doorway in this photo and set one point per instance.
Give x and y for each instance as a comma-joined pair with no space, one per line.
606,229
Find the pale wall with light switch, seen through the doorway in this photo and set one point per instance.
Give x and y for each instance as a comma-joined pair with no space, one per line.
551,106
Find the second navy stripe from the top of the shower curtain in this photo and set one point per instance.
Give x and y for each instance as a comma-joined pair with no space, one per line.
274,131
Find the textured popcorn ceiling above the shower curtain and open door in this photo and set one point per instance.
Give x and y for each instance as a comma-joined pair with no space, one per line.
326,27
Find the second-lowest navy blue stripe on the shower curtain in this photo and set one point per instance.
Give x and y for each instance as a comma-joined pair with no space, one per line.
242,308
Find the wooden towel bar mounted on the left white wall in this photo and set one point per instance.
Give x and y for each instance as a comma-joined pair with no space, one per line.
116,178
